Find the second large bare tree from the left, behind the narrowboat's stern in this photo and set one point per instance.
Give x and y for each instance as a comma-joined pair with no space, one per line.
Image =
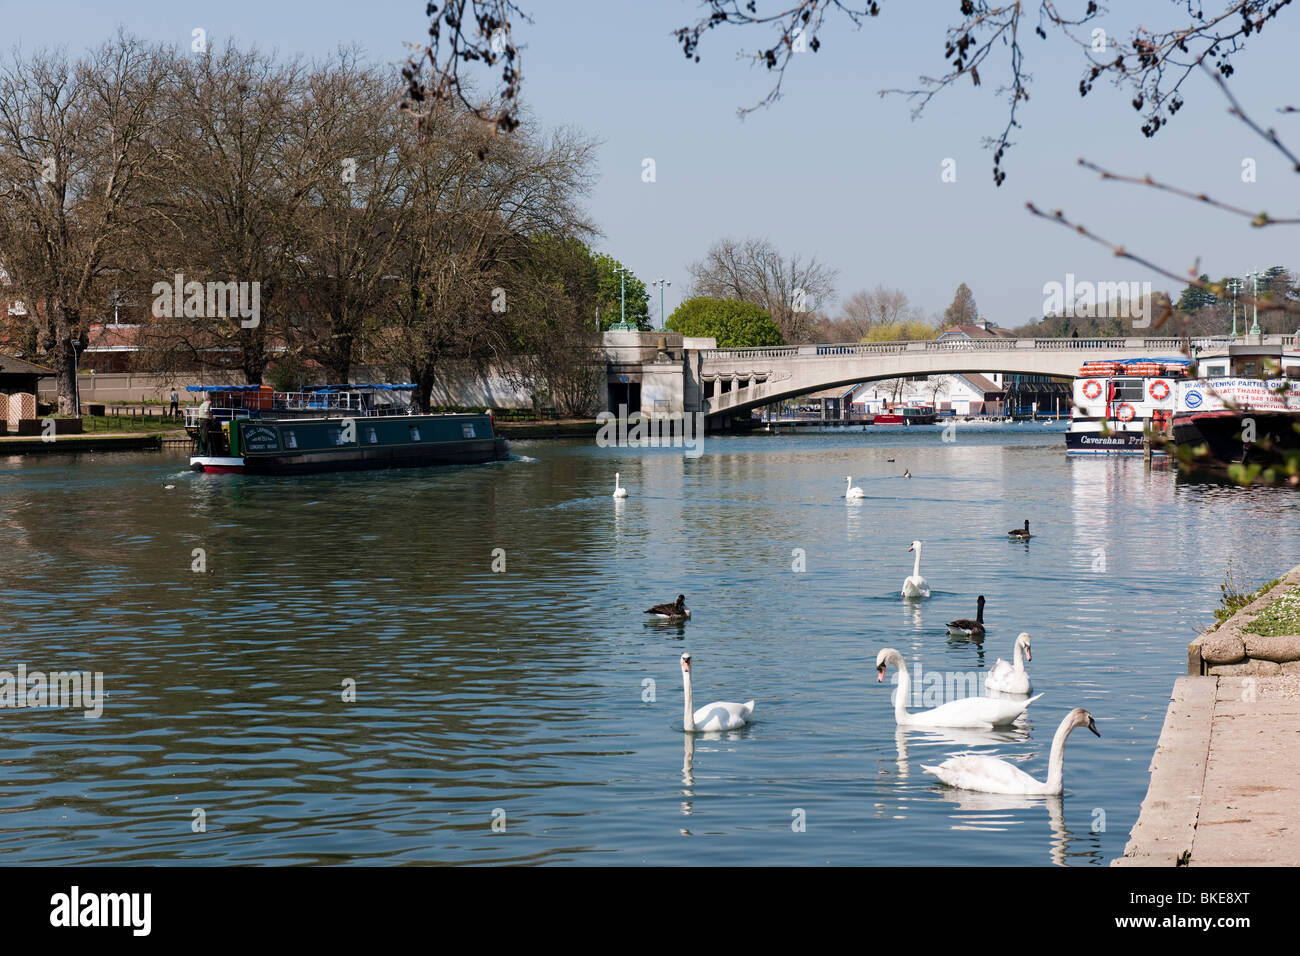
237,180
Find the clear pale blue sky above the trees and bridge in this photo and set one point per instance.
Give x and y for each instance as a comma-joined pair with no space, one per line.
833,170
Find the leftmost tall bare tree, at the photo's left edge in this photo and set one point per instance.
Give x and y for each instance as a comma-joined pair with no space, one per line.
77,149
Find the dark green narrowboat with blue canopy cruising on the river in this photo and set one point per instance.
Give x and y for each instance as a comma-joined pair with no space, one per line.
257,431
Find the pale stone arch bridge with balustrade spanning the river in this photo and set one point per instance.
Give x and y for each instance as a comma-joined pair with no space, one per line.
735,380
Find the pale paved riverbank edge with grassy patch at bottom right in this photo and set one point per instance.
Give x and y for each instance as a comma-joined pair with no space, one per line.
1225,778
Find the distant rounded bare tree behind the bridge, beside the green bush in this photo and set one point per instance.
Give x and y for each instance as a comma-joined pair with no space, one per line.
790,288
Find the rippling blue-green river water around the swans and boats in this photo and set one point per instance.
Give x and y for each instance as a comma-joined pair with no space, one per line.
530,713
